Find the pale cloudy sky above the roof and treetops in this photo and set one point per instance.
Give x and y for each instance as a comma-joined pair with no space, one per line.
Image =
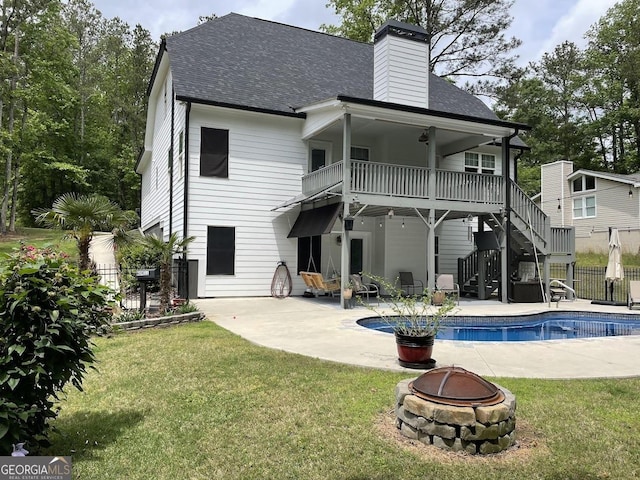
540,24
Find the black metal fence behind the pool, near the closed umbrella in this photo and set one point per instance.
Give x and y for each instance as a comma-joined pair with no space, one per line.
590,283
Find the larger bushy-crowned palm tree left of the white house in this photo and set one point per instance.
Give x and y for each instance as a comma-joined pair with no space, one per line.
82,215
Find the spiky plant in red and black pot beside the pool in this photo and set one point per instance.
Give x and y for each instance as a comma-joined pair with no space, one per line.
415,323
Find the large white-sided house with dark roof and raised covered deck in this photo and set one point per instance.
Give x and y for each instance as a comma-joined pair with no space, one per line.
263,138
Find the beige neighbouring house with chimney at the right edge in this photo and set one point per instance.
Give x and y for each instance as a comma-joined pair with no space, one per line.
592,202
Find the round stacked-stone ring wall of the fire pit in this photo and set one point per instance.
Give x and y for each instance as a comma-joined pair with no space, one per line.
483,429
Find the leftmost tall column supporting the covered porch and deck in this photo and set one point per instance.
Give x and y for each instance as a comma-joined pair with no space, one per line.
345,260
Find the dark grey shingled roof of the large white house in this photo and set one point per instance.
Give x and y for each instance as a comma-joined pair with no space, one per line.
263,65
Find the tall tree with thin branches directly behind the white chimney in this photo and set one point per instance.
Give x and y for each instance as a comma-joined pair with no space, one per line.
466,37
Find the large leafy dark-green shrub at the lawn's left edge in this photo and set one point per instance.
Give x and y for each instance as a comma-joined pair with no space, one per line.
48,312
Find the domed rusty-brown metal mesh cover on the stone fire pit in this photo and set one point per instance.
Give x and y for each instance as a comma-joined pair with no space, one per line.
455,386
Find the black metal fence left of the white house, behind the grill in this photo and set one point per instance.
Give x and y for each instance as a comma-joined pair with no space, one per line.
124,282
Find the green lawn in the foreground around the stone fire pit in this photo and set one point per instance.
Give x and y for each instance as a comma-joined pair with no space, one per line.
197,402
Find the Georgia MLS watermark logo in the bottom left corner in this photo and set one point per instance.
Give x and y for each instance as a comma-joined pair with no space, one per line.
35,468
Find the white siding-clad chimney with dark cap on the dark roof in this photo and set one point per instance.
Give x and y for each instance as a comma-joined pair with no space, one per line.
401,64
